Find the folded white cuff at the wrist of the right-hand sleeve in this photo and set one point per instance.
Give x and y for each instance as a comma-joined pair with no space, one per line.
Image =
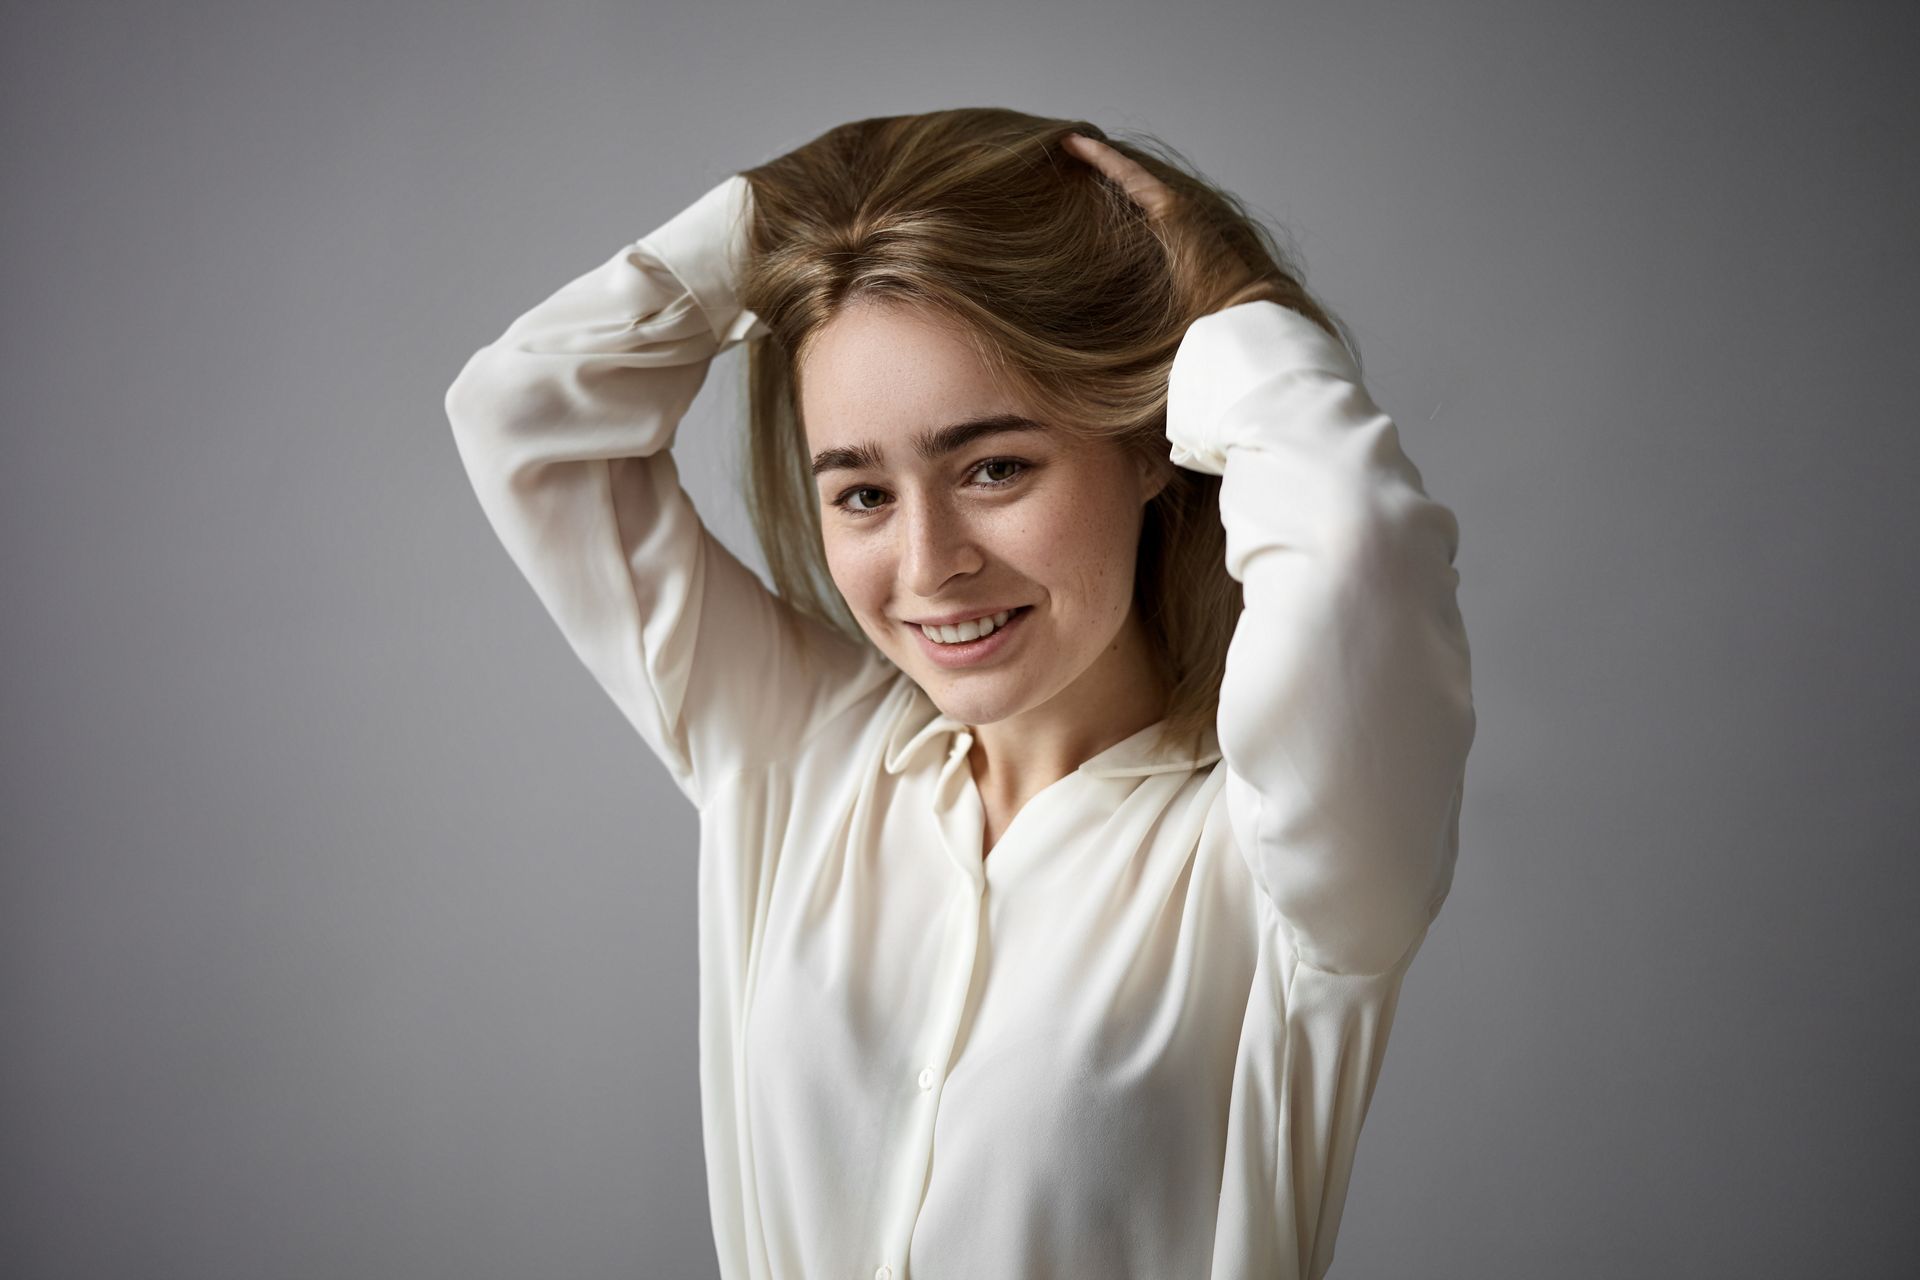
1226,356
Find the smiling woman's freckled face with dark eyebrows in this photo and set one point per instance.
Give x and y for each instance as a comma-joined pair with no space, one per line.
942,502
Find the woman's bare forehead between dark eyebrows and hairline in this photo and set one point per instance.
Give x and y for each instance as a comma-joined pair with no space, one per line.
884,371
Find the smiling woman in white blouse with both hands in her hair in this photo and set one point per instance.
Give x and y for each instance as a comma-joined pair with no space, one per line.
1053,899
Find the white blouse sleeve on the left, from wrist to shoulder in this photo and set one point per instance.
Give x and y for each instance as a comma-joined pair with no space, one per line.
565,427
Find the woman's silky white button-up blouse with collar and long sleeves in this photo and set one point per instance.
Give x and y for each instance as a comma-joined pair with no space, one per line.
1140,1039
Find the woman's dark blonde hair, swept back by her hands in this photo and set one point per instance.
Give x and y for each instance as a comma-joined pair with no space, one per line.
1067,291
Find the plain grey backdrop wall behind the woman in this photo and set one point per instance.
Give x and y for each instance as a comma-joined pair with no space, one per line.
348,932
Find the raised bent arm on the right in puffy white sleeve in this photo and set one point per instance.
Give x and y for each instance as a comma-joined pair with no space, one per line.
1347,709
